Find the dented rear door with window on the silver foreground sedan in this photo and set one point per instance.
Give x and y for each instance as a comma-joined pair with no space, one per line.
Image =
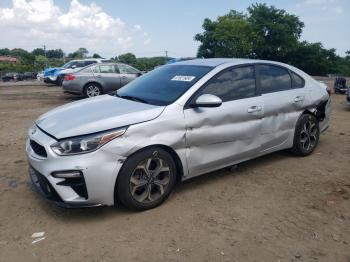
284,97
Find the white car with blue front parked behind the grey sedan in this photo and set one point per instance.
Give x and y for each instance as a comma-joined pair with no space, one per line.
56,75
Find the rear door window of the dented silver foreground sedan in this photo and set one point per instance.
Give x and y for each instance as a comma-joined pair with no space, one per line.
274,79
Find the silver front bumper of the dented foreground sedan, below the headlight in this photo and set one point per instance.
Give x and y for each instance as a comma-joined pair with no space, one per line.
99,170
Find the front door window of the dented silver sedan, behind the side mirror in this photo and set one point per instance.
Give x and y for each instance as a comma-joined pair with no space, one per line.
233,84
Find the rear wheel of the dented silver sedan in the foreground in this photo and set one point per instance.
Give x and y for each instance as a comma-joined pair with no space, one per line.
307,134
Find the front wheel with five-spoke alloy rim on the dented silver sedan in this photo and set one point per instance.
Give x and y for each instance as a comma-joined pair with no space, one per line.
146,179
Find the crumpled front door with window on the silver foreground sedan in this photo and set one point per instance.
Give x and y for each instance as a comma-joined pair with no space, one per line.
219,136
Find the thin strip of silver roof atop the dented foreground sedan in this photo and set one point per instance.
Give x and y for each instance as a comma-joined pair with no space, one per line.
214,62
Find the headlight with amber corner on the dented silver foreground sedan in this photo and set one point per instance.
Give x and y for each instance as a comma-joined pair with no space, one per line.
85,144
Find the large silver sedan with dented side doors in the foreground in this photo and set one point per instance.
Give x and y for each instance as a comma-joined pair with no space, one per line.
171,124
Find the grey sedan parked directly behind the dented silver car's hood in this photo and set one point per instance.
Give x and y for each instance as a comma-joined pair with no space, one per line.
99,79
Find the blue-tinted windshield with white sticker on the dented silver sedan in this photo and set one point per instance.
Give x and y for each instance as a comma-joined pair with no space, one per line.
163,85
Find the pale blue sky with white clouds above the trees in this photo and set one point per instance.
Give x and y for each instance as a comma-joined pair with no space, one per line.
150,27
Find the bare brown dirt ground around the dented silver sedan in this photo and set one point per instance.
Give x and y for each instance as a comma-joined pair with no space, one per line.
275,208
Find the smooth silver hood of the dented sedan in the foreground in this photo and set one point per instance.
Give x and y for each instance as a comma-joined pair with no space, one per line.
94,115
